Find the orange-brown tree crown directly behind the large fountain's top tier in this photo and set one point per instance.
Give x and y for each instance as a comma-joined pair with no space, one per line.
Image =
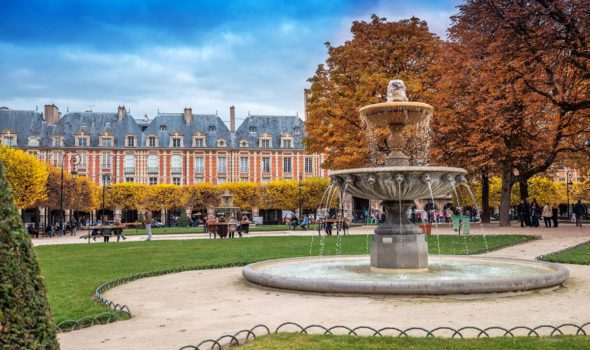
356,74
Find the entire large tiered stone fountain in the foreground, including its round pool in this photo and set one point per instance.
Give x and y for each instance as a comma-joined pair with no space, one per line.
398,261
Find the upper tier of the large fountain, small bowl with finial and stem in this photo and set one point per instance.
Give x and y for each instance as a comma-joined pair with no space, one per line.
395,114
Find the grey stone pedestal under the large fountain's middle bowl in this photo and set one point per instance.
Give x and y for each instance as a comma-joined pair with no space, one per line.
398,244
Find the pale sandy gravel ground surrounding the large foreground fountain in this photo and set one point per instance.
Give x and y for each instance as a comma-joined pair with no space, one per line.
184,308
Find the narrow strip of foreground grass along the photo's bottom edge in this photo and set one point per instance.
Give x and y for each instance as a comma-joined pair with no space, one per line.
342,342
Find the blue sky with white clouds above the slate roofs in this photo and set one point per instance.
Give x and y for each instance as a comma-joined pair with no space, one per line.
167,55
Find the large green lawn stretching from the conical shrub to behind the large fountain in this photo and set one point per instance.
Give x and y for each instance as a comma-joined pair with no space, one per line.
72,272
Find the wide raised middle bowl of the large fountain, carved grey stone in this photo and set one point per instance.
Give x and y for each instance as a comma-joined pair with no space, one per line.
381,183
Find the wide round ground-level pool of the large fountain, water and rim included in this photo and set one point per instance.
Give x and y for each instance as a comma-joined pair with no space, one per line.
446,275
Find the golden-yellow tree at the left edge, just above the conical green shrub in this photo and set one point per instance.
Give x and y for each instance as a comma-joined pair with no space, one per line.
26,176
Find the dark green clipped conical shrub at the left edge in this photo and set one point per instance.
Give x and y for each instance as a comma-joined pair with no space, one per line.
25,318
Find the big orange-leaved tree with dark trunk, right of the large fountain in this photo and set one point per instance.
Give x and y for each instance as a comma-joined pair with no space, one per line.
514,95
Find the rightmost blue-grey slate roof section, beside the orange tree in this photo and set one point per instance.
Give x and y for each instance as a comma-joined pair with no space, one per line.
255,125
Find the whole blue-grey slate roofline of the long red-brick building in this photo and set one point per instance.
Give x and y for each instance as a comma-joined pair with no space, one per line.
31,123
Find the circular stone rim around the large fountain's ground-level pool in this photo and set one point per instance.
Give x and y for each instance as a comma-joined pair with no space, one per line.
557,276
